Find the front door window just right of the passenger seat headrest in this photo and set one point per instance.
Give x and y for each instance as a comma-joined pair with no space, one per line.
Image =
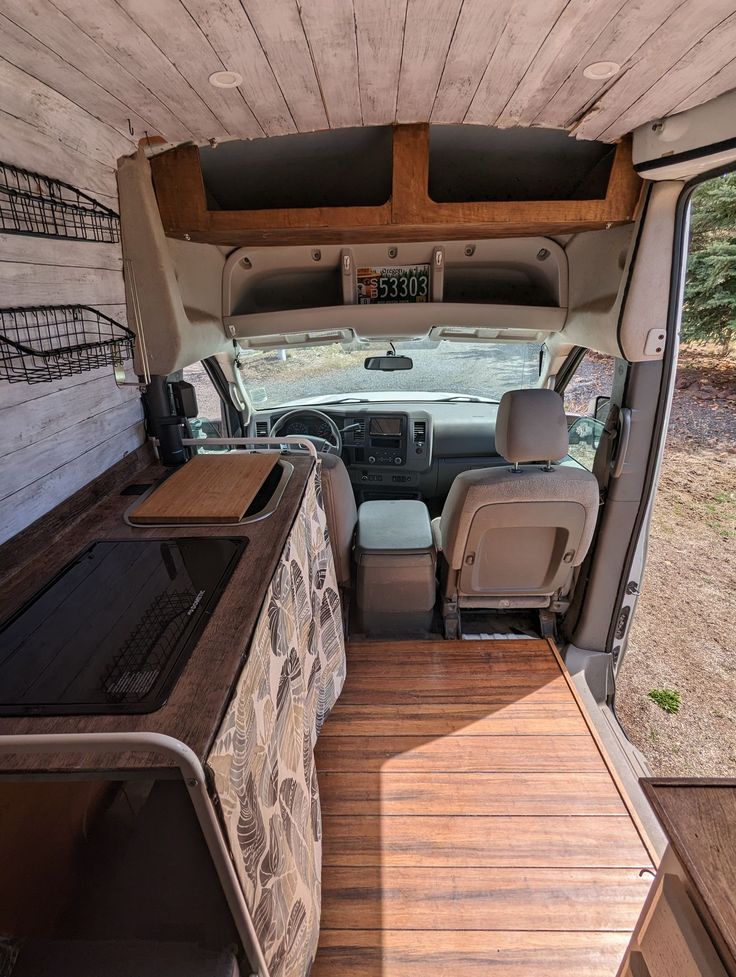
587,398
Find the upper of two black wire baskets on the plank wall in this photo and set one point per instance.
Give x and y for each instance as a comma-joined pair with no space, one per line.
34,204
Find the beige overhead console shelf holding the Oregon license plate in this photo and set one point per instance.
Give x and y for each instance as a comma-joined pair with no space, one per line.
512,288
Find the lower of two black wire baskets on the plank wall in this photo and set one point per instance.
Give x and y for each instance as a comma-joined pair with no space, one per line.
47,343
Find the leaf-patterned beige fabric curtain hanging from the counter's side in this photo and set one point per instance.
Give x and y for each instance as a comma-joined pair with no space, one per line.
263,757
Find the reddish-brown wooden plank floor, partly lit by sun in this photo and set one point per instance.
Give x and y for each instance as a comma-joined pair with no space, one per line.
470,823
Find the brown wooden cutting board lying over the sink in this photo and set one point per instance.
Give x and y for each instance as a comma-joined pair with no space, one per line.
208,488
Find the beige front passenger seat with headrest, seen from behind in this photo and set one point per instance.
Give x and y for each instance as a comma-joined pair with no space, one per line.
511,536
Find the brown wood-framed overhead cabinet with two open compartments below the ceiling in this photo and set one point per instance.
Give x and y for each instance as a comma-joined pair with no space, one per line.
392,201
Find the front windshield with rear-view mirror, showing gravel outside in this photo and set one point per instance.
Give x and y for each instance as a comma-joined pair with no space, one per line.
442,369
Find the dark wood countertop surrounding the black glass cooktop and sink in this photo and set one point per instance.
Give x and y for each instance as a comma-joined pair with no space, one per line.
196,706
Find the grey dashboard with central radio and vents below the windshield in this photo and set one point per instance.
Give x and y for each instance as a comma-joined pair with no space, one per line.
399,449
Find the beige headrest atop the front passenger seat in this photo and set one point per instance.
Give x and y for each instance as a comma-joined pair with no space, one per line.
531,426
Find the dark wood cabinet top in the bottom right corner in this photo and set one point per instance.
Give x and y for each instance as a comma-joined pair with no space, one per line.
699,818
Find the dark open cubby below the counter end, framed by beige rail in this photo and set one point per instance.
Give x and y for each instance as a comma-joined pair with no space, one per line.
109,876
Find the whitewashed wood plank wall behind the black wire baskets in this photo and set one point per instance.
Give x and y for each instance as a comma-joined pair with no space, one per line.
56,437
